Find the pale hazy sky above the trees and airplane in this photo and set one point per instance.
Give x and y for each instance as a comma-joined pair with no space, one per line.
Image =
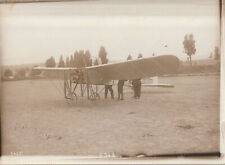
32,32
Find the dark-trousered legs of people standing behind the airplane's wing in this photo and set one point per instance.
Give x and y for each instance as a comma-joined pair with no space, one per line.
136,84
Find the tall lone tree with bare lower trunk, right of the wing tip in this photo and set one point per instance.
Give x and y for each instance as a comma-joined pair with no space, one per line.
189,46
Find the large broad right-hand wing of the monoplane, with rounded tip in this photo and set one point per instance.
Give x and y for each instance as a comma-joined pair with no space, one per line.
133,69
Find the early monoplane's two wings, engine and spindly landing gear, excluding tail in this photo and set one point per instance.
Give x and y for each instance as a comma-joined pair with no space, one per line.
91,76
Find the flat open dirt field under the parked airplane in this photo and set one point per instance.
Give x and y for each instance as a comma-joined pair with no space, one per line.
36,120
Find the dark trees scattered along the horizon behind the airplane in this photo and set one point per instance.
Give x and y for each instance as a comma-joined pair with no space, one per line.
83,58
